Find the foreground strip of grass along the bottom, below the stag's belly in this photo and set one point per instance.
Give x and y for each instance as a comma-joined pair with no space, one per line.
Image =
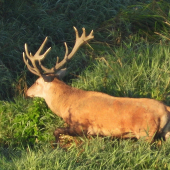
97,153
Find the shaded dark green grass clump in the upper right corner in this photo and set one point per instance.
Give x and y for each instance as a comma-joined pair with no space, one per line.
144,19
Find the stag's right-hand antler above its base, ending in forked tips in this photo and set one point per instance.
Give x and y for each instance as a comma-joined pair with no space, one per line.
79,41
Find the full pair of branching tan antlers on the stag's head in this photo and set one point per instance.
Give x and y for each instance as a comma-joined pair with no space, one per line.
37,57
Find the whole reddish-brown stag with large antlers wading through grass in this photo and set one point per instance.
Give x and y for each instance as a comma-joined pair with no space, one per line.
95,113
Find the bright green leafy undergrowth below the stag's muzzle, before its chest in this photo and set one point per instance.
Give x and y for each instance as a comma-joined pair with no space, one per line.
26,124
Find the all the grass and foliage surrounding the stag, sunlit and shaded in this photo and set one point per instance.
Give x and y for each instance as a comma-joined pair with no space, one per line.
129,57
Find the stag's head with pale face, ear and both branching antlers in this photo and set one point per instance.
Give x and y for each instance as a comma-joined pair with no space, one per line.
39,88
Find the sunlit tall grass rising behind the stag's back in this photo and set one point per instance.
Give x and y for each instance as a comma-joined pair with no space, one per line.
133,70
